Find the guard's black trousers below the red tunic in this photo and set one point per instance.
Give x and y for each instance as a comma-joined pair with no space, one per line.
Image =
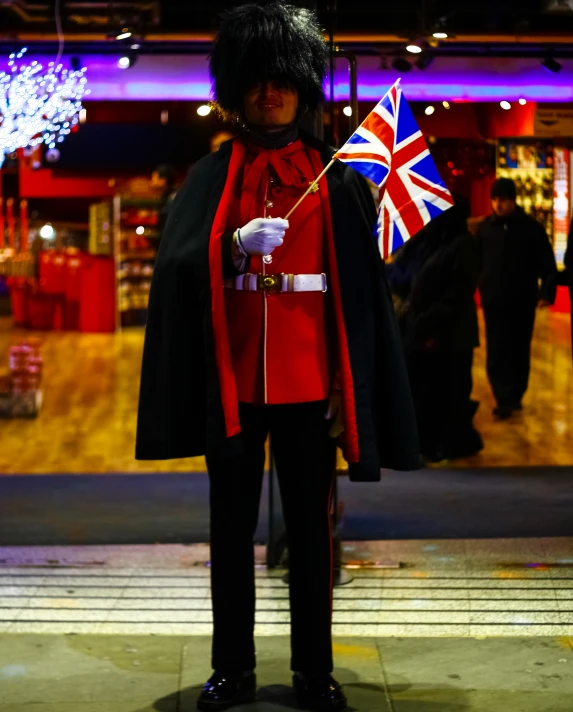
305,460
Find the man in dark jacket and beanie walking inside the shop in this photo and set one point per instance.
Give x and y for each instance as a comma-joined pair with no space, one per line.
515,256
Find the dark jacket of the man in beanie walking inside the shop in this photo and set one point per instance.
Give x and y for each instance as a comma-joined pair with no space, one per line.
515,254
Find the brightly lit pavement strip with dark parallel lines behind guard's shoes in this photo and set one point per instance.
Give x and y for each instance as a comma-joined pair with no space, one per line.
441,588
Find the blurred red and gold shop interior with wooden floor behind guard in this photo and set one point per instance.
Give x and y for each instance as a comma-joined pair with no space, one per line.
80,226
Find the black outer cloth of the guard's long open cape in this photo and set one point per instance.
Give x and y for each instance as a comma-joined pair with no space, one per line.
180,408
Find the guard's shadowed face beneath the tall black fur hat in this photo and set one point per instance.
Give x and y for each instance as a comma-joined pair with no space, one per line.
270,106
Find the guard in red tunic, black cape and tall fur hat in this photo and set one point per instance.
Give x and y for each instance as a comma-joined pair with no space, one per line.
259,325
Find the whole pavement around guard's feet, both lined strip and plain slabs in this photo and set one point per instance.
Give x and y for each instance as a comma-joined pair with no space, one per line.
459,626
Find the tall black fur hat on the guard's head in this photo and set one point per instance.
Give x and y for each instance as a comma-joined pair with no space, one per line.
258,42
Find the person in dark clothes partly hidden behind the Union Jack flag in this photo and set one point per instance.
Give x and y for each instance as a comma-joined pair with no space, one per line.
434,278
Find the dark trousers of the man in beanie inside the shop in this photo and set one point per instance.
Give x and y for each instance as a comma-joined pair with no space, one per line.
509,333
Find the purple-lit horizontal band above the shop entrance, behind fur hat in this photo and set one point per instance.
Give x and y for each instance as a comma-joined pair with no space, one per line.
185,77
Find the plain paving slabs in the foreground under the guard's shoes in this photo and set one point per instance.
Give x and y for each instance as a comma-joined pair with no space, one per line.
131,673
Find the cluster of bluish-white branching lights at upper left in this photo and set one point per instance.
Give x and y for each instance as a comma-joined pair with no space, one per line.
38,105
